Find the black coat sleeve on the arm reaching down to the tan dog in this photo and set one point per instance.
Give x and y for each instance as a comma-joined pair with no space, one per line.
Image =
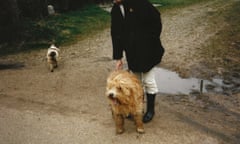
116,33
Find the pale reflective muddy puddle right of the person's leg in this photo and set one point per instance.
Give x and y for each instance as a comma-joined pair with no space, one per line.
171,83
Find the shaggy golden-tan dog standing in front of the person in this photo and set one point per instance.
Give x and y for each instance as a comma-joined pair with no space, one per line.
125,94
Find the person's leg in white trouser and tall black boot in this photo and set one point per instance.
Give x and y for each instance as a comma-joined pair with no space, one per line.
151,89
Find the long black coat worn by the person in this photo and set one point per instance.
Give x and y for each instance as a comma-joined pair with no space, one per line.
138,34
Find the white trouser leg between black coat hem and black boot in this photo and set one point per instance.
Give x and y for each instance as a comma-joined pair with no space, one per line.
148,81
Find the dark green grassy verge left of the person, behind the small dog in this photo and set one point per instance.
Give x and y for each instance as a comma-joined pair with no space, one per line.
61,29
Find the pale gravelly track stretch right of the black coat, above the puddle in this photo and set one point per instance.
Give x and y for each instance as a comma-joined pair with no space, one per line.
187,31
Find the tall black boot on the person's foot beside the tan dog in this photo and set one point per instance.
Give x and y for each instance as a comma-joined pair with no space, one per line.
150,108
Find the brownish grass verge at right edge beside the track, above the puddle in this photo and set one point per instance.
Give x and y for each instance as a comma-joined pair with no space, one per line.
223,49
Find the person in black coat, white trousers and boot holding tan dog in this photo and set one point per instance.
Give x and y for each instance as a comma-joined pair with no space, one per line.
135,29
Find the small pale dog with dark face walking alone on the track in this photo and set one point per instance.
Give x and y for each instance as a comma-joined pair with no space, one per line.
52,57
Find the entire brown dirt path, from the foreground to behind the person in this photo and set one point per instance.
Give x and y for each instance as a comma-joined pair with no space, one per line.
68,106
